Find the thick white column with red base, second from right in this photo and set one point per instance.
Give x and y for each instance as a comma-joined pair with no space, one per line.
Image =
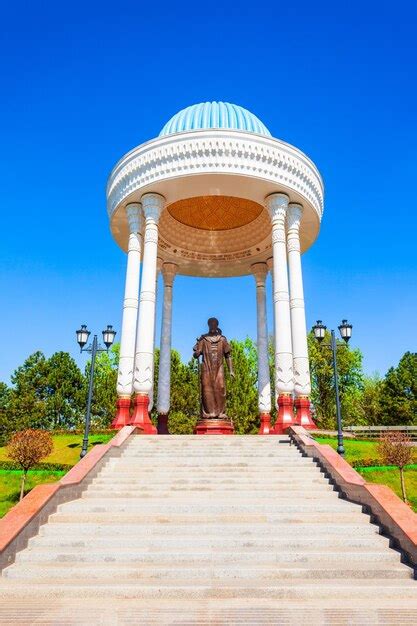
277,205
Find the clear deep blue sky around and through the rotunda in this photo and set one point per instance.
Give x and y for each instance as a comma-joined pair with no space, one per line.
84,82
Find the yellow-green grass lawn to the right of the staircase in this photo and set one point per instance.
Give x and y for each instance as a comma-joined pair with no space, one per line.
356,450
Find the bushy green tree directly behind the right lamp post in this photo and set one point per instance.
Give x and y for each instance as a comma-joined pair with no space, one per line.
349,363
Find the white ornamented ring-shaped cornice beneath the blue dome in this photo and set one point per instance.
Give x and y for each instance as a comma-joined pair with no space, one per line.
215,151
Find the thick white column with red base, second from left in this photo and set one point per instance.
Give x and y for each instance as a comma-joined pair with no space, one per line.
152,205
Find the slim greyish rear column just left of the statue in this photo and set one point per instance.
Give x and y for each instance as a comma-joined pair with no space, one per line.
169,271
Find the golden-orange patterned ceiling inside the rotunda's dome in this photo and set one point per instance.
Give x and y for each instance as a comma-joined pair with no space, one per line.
215,212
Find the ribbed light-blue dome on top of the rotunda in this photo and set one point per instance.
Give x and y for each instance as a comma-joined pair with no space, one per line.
214,115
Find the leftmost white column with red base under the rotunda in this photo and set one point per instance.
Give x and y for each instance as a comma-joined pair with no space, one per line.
129,318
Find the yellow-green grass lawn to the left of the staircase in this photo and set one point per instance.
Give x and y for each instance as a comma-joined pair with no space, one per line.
66,451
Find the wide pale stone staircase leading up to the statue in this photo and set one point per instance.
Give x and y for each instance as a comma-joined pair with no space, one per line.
210,529
